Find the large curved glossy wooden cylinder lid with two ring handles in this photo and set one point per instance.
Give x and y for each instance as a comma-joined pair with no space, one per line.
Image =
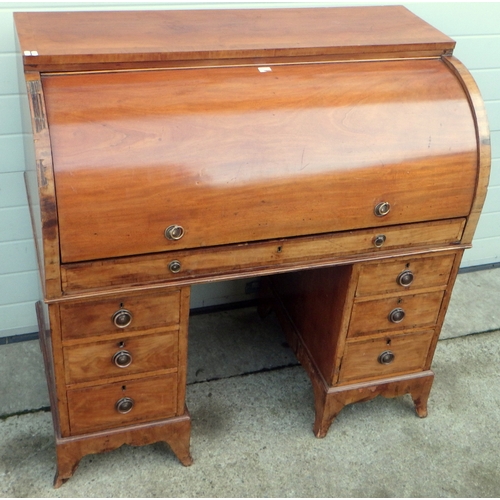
234,155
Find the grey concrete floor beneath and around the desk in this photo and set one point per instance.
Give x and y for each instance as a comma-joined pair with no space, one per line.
252,411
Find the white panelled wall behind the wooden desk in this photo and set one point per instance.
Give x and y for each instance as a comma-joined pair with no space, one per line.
474,25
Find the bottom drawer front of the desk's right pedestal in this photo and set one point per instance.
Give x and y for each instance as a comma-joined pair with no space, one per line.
403,354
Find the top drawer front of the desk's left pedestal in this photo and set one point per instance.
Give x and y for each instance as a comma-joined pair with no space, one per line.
91,318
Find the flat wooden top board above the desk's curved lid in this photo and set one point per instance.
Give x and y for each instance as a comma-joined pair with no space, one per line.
48,39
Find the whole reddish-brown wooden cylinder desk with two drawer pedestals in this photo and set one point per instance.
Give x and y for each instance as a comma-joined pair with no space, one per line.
340,153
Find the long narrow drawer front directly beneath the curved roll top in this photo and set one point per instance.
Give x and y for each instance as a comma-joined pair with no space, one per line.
257,257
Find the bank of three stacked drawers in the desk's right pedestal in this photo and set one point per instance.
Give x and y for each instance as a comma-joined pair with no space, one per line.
395,316
